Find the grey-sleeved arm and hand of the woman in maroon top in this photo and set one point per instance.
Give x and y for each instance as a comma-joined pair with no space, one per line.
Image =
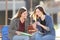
13,28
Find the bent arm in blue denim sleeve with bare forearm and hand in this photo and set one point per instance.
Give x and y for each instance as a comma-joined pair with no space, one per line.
49,24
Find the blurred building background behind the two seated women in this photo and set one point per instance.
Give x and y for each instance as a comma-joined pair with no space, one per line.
8,9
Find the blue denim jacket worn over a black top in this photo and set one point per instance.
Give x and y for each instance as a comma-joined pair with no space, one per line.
49,23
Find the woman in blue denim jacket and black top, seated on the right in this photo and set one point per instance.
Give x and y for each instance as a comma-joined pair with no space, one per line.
44,25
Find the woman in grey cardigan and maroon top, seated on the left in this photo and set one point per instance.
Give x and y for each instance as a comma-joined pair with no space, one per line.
17,25
